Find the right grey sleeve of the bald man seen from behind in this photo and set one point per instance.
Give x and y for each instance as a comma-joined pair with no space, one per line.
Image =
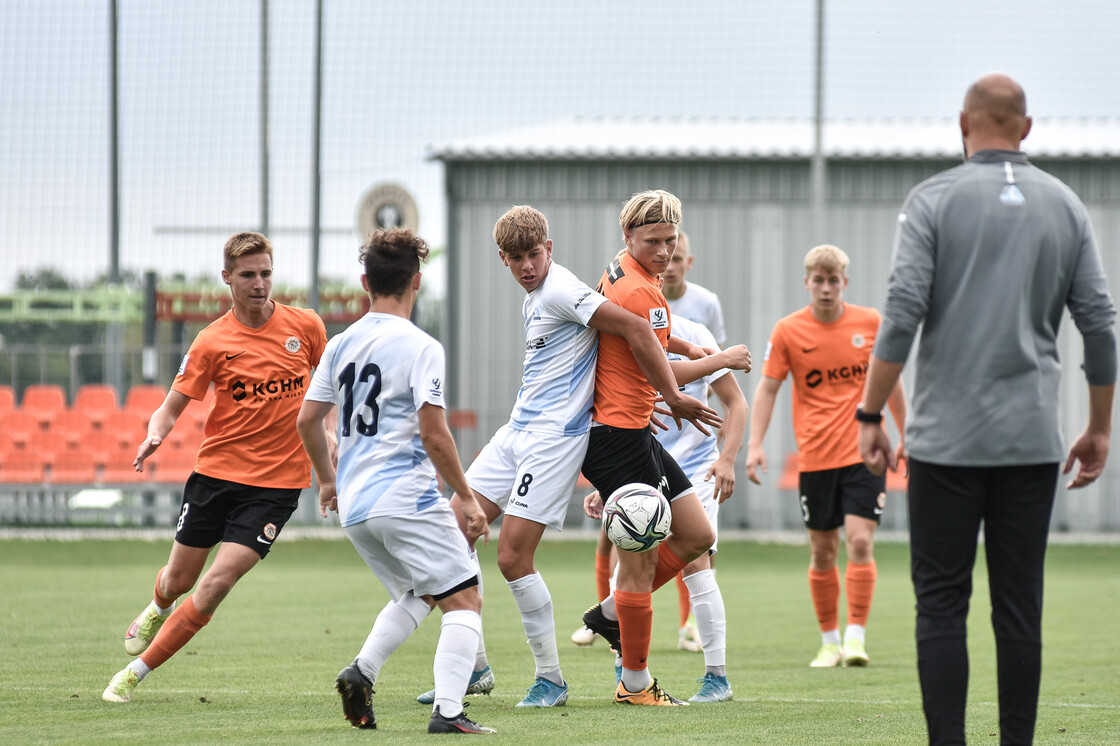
1093,310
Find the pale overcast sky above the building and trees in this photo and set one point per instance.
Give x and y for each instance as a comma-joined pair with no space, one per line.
400,76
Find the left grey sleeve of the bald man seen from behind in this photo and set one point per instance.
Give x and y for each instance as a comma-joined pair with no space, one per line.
911,281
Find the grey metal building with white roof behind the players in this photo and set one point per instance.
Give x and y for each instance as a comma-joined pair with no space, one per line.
749,211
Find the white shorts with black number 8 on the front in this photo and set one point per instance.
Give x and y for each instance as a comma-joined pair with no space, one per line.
530,475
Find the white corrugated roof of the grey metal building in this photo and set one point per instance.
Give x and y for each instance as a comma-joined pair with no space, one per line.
673,138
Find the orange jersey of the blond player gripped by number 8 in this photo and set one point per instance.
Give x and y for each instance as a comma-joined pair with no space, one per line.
623,396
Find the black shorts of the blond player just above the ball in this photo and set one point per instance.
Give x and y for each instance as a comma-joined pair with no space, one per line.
618,456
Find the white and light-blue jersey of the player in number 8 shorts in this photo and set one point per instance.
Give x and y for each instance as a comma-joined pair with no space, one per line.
558,383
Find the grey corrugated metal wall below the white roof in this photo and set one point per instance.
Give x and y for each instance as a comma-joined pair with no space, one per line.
750,225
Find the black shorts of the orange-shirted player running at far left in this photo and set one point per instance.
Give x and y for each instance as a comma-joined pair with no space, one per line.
216,510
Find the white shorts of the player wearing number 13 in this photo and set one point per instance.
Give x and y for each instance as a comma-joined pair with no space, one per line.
425,553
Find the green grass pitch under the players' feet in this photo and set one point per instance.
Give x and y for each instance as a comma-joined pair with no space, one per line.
263,673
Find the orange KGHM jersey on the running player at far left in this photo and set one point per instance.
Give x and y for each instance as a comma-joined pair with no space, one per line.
259,379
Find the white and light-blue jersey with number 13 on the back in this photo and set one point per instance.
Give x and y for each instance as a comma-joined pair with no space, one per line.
380,372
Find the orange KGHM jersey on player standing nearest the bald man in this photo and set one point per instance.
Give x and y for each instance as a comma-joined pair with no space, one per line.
829,365
